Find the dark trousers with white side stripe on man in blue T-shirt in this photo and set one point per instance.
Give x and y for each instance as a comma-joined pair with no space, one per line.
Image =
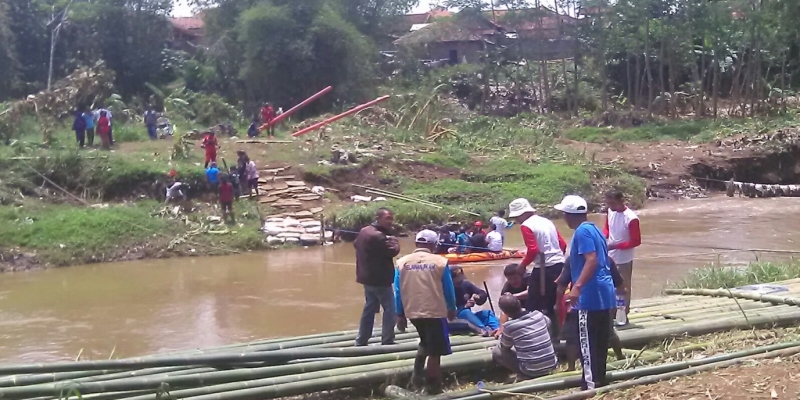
593,335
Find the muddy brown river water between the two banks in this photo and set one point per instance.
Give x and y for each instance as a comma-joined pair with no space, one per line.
153,306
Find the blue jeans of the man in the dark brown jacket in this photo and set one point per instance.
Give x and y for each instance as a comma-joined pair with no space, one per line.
377,297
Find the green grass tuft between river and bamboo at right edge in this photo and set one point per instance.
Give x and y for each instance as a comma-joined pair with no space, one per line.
717,276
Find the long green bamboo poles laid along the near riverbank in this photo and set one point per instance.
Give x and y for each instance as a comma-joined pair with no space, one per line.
299,365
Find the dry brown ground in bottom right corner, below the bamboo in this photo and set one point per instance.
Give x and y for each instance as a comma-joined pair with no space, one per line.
777,378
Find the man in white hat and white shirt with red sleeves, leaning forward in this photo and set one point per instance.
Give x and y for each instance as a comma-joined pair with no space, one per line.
546,246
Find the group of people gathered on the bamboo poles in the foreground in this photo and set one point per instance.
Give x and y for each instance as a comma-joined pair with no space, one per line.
570,292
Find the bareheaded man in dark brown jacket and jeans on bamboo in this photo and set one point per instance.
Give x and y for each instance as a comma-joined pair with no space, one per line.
376,248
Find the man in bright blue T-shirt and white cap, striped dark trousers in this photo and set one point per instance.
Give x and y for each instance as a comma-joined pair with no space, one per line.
592,293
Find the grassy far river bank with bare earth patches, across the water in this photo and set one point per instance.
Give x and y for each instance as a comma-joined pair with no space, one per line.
64,207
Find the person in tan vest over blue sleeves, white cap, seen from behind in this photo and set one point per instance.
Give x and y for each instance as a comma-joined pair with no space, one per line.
424,293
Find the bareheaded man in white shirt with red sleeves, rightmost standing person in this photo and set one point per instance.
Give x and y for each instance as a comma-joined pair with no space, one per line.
623,234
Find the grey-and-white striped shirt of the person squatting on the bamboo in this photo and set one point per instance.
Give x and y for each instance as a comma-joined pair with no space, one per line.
529,335
